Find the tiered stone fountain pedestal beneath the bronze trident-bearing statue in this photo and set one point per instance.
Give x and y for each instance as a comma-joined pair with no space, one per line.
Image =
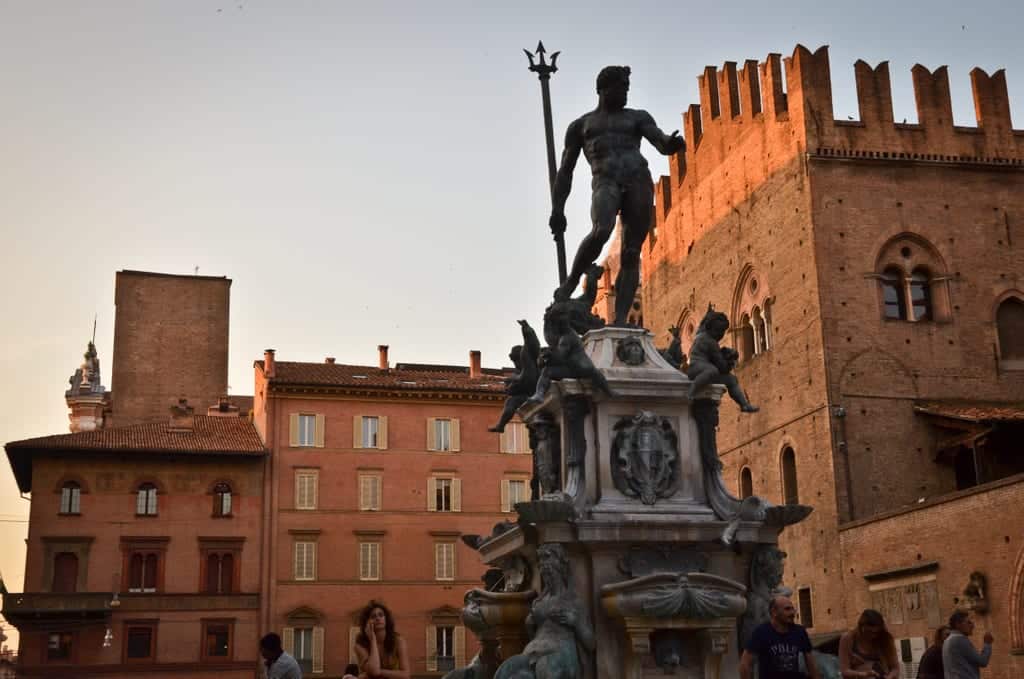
646,549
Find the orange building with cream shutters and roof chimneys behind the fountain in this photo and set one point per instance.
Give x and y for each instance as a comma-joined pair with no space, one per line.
376,472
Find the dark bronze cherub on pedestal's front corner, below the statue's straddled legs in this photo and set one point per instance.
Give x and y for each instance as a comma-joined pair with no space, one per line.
565,356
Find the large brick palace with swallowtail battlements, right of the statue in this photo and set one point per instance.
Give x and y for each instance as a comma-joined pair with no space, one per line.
875,278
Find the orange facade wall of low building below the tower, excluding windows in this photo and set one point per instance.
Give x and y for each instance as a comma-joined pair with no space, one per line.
185,515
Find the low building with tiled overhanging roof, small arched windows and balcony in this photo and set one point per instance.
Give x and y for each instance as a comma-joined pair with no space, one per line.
144,549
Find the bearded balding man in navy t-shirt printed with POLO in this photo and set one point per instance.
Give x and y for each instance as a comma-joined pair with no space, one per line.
778,646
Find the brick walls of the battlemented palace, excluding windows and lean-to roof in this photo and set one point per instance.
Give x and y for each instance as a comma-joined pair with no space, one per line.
772,184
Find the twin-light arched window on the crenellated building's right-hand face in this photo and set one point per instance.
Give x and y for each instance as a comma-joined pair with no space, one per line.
912,281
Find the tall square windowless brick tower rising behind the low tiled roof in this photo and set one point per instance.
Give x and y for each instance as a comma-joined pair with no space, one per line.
170,343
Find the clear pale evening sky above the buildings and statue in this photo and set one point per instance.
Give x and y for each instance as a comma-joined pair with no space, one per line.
366,173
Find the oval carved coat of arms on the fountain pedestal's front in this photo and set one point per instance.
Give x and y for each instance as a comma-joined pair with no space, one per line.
646,457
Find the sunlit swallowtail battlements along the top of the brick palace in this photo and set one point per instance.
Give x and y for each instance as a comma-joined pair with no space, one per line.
753,119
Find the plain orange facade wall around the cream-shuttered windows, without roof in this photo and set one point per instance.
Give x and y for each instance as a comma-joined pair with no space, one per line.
407,584
